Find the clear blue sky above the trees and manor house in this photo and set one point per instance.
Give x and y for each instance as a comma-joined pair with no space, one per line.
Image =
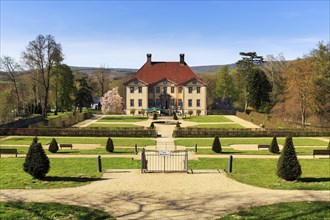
120,33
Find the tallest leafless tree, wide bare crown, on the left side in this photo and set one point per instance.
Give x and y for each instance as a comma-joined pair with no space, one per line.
43,54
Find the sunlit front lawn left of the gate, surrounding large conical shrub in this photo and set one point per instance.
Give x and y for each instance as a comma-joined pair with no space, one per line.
63,173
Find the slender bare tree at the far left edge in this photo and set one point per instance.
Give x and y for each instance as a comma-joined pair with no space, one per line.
11,70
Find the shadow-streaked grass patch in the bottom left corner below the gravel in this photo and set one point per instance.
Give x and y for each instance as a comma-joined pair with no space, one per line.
41,211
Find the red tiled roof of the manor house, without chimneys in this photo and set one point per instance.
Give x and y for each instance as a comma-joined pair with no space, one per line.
173,71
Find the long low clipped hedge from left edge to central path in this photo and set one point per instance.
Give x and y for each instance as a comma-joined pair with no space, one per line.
79,132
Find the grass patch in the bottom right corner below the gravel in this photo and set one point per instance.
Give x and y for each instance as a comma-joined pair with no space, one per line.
287,210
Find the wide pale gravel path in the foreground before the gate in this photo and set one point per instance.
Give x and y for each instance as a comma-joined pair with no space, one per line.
131,195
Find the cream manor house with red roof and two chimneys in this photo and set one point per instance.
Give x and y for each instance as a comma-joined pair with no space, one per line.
170,86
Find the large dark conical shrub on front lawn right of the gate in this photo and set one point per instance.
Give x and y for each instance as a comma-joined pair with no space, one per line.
288,166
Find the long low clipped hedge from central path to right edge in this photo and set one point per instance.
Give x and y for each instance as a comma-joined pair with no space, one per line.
212,132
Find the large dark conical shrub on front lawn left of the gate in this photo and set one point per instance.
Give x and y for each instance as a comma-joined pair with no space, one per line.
36,162
